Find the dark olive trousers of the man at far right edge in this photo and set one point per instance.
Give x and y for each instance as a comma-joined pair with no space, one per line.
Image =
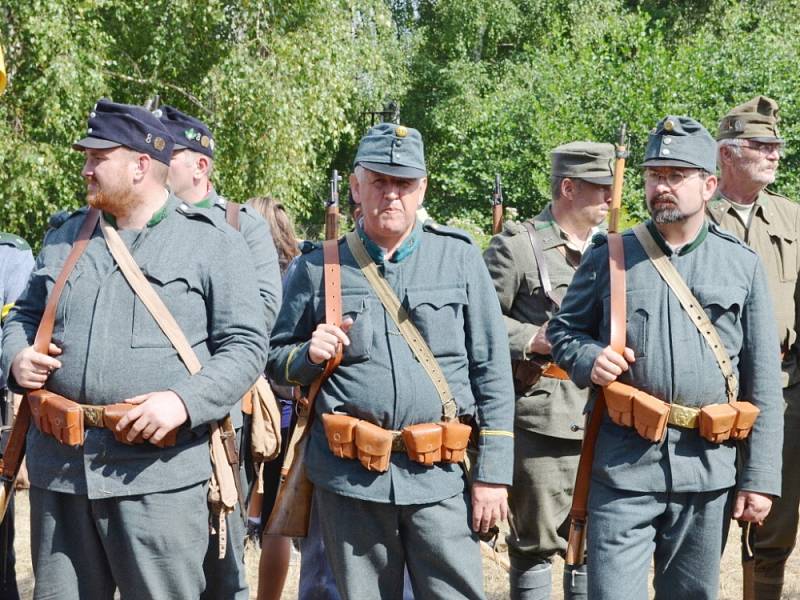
776,539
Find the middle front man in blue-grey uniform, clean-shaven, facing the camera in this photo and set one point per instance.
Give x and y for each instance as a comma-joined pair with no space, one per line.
425,517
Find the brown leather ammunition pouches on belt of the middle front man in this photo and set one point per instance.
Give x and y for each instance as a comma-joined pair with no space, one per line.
425,443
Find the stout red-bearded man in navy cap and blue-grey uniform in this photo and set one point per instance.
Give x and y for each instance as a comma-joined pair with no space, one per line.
106,514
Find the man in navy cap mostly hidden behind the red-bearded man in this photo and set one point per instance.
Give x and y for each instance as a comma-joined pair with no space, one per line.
189,178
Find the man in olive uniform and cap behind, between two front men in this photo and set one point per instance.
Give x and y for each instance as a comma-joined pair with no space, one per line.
531,265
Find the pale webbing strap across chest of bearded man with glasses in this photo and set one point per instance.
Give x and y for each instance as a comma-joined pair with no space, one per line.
691,305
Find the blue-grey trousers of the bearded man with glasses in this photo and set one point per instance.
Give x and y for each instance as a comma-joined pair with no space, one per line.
684,532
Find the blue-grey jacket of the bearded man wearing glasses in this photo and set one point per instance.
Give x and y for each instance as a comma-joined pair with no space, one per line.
675,364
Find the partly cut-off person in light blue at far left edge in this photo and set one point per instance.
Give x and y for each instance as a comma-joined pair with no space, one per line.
16,263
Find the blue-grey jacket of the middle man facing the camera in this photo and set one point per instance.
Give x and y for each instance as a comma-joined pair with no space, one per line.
444,285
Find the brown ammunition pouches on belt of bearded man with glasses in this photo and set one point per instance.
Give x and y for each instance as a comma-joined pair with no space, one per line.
630,407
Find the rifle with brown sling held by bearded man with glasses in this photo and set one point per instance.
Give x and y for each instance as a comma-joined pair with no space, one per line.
616,259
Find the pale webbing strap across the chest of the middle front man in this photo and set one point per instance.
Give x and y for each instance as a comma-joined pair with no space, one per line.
404,323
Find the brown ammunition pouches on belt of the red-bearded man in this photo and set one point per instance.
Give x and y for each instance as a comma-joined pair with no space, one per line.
65,419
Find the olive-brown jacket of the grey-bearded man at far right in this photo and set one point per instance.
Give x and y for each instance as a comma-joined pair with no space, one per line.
774,234
